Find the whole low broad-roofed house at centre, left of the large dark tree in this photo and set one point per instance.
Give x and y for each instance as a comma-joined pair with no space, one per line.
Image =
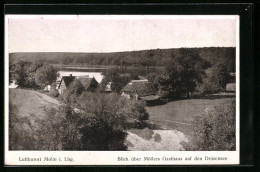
140,89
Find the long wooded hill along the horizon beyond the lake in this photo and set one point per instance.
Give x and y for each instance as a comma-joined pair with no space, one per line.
143,58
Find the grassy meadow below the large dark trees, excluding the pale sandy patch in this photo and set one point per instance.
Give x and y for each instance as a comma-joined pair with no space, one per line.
178,115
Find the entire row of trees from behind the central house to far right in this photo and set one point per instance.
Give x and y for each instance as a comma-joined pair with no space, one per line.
186,74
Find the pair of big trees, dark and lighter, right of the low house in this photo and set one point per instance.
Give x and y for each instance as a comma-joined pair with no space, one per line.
187,74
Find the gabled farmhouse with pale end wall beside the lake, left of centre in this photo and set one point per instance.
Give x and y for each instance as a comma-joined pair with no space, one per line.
90,84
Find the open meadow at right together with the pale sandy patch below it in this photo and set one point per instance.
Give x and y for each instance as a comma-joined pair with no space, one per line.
170,125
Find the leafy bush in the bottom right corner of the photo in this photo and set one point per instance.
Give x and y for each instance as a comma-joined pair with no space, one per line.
215,129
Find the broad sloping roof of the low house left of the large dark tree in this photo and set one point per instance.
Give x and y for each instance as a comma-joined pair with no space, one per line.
141,88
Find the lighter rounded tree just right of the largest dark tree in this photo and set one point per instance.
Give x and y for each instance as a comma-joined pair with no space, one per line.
215,80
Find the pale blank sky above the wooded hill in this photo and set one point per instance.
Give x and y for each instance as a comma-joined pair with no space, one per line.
106,33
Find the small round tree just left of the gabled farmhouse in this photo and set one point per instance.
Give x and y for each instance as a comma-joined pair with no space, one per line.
45,75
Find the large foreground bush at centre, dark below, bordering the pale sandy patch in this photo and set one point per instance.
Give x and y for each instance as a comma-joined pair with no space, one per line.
103,118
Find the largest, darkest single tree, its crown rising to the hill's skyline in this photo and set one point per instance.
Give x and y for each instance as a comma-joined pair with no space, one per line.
180,75
